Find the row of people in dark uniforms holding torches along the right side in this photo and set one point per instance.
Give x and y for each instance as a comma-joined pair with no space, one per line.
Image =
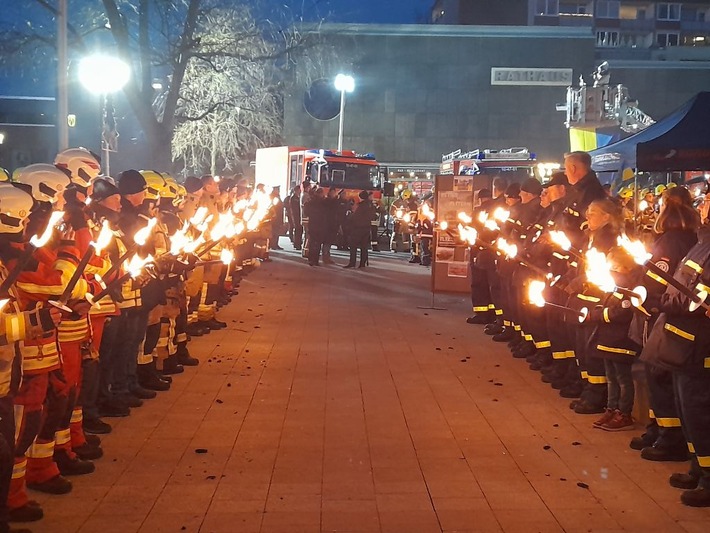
560,275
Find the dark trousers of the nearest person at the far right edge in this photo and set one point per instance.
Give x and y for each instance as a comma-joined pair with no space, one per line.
693,393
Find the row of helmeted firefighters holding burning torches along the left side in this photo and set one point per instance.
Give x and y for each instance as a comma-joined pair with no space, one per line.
103,282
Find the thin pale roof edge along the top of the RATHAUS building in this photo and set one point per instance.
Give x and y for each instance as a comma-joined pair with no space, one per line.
446,30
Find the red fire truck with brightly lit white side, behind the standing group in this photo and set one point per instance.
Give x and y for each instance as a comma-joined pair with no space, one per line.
288,166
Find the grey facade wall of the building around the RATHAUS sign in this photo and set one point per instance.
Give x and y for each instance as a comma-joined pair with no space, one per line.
426,90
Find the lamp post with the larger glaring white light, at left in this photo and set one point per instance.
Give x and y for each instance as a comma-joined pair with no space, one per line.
104,75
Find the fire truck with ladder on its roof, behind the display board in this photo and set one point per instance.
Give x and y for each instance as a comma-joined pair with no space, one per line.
516,164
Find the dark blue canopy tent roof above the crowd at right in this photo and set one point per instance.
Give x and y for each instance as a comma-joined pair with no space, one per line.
681,141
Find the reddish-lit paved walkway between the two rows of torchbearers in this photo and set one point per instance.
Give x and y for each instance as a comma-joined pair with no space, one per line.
332,403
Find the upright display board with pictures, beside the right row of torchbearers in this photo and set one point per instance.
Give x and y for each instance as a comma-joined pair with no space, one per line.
450,258
